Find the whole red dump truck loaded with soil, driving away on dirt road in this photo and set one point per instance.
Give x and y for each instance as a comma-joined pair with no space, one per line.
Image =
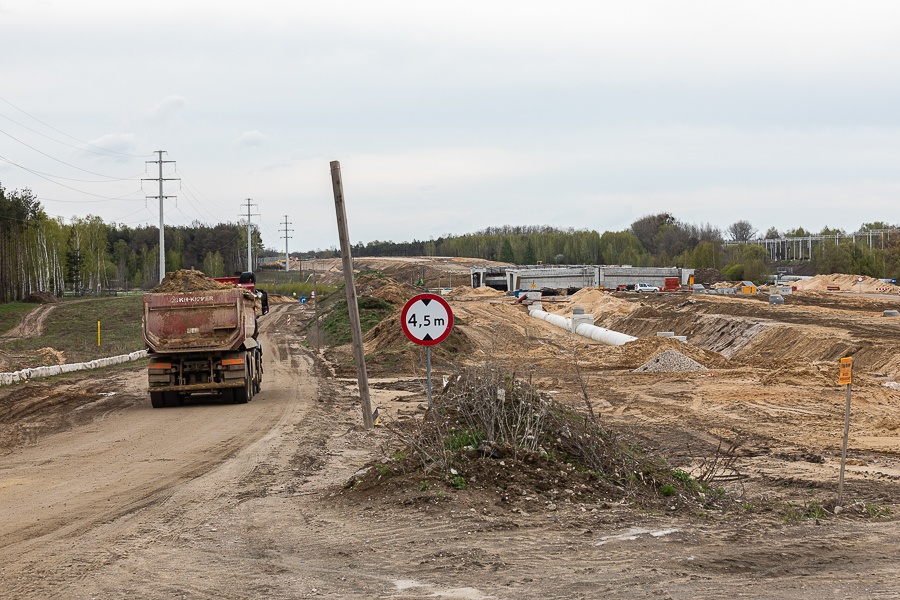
202,342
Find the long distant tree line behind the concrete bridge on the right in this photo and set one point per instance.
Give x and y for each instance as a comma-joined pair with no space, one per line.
657,240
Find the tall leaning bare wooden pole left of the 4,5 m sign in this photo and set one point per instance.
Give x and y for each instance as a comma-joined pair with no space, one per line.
352,307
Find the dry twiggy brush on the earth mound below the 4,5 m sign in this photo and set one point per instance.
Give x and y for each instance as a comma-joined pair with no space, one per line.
483,414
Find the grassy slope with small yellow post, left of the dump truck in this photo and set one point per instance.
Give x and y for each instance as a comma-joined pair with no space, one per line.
71,327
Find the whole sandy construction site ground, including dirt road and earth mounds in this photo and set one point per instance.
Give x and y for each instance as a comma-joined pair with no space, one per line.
716,423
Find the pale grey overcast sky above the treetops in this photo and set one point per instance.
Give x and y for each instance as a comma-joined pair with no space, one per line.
448,117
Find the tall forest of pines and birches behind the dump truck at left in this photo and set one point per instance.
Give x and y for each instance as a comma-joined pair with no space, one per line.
38,253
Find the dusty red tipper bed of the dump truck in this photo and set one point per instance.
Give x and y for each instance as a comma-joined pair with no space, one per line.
211,320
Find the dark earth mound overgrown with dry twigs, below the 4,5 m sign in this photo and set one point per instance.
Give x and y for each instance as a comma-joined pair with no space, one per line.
541,455
